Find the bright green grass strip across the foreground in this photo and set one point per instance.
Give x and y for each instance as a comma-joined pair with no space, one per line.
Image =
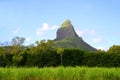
60,73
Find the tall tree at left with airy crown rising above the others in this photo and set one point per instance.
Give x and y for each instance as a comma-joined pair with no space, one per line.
17,48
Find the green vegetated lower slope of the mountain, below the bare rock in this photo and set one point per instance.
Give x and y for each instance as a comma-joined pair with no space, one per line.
72,42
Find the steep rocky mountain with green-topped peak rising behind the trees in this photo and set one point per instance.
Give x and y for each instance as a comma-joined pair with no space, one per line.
68,38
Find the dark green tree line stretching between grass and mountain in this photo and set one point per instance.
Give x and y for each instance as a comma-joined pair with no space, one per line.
43,54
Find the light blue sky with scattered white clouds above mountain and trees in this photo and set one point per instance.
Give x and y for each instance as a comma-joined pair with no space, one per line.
96,21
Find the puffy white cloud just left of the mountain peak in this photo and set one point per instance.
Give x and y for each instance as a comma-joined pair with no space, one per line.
45,27
